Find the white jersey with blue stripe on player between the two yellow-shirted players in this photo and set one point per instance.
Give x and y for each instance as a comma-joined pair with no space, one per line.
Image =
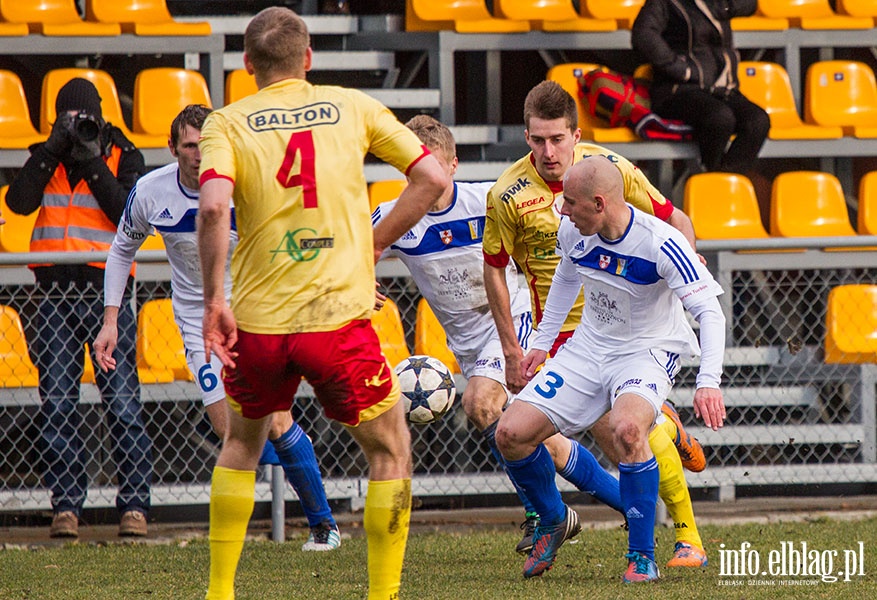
443,253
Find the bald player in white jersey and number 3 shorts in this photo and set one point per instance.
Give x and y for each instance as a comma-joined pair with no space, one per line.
638,273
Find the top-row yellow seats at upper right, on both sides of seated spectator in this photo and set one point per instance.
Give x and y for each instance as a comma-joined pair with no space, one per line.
517,16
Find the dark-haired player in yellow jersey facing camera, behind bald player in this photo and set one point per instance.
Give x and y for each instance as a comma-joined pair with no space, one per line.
523,213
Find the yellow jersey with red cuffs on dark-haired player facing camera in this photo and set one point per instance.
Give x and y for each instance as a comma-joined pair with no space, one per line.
523,214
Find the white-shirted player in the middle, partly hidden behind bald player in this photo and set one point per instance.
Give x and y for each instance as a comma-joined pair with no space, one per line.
443,252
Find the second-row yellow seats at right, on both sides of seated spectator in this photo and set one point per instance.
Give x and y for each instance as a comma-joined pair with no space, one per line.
840,99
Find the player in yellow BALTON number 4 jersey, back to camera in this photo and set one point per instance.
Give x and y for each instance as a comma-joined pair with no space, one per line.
291,156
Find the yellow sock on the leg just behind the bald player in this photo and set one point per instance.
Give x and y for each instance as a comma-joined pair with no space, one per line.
672,487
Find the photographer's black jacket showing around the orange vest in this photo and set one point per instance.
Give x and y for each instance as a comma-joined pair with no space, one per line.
111,192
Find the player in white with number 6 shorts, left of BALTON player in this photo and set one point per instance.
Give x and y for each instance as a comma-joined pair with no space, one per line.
166,201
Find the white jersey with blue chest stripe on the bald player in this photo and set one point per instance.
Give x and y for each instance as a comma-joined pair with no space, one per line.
632,287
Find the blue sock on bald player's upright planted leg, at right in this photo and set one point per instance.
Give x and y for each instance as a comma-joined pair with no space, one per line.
639,494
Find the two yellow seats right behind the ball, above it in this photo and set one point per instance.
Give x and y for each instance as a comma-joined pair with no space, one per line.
429,337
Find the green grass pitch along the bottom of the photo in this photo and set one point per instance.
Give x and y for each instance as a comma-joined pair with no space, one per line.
464,566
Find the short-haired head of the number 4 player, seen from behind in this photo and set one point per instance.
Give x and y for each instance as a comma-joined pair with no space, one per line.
276,41
